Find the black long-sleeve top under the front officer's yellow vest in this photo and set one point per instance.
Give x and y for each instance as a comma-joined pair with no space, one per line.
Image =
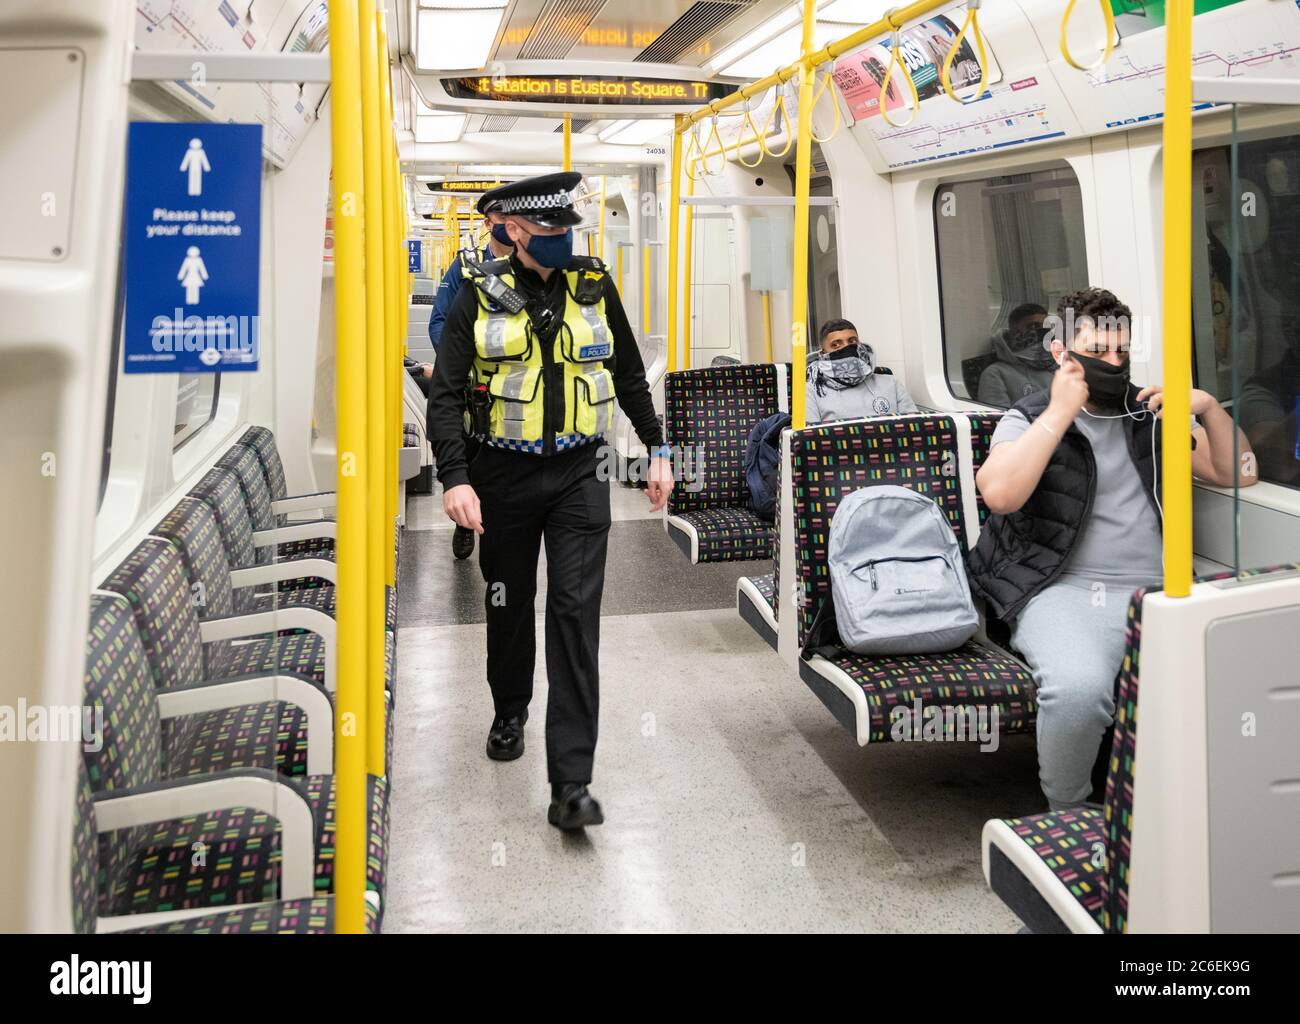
447,407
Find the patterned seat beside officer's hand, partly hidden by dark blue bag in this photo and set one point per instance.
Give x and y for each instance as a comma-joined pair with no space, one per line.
709,415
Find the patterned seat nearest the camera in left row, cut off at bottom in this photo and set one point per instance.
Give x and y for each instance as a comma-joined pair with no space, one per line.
313,915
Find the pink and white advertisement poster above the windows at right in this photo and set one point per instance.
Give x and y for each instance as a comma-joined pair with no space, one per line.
924,49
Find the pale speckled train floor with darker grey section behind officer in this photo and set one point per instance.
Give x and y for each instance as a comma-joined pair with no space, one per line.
734,801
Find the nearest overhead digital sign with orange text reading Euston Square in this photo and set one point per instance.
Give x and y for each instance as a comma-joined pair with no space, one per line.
612,90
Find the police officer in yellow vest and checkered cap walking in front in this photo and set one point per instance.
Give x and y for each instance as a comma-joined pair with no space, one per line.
547,348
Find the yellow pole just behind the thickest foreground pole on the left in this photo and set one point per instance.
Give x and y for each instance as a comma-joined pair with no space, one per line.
376,385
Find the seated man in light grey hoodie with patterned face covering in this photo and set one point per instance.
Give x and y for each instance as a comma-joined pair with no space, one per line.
844,384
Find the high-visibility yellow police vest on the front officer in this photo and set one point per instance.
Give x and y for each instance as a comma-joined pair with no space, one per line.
510,359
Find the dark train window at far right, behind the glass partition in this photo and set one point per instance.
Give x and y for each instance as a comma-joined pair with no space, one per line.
1267,309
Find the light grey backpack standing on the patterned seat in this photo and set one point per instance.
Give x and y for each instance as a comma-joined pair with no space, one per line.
898,578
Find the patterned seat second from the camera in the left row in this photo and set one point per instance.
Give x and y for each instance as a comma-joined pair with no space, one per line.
188,862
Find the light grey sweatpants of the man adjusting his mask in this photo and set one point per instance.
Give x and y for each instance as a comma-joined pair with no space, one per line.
1073,639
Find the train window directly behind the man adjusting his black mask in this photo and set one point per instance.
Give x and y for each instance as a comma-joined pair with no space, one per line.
1009,248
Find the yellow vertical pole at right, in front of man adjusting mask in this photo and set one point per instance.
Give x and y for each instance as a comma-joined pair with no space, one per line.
1177,336
